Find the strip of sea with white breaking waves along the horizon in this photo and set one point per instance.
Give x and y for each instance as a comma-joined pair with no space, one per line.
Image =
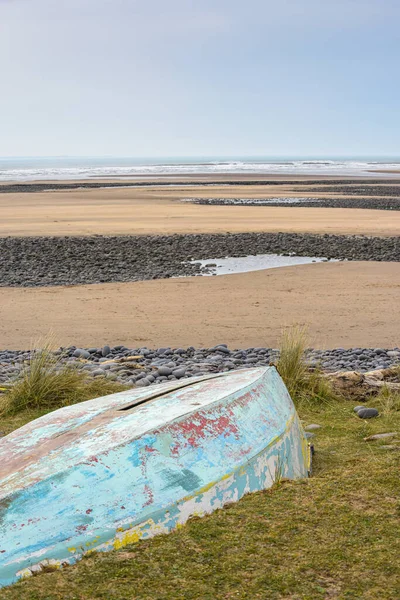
37,169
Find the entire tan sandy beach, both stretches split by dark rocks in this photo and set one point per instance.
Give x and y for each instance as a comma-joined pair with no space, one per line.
343,304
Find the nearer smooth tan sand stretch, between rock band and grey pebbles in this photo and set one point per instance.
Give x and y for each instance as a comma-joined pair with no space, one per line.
343,304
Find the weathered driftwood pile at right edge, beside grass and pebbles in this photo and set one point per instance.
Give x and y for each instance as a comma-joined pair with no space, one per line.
365,384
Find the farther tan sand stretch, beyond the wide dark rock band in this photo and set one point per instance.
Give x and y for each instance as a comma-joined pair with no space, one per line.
159,211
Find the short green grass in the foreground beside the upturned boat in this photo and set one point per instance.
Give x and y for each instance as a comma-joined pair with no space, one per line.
335,535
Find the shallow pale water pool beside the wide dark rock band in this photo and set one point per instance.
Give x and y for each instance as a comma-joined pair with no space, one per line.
244,264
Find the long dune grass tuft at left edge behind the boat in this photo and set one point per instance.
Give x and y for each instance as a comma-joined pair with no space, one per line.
46,383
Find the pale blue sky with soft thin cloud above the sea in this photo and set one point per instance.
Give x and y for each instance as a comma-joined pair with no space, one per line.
187,78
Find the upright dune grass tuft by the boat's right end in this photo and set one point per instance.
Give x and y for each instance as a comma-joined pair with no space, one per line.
304,384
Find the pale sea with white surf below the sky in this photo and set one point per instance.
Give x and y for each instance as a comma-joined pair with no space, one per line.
67,167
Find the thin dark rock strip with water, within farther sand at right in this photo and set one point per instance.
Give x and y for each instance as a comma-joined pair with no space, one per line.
387,203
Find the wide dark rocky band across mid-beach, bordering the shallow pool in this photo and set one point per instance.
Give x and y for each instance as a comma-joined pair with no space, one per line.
47,261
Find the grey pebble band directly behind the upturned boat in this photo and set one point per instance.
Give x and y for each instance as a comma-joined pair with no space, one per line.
144,366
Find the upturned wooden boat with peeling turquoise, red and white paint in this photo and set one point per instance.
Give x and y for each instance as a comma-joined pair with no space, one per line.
115,470
